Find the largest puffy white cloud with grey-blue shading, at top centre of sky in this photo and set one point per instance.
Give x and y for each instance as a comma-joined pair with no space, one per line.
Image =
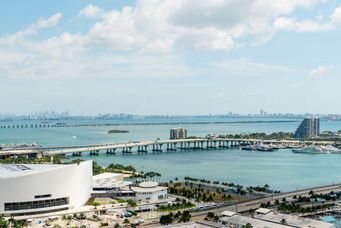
199,24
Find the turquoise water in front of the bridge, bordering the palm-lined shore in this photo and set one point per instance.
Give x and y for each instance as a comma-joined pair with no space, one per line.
282,170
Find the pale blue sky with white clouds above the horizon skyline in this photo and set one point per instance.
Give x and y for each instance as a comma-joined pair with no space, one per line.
170,57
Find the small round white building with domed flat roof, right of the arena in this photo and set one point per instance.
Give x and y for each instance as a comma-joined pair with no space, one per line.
150,192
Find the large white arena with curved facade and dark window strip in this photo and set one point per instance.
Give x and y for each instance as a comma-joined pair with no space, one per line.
38,188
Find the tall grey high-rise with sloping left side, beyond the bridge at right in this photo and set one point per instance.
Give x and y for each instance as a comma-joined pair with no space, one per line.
310,127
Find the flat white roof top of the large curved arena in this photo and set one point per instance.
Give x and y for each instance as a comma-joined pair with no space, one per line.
17,170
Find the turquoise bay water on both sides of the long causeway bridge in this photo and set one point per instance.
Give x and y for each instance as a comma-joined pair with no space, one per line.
282,170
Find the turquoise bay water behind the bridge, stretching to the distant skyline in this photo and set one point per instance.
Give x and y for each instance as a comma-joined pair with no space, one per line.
94,135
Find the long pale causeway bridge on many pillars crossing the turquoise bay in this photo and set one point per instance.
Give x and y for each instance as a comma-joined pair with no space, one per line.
156,146
